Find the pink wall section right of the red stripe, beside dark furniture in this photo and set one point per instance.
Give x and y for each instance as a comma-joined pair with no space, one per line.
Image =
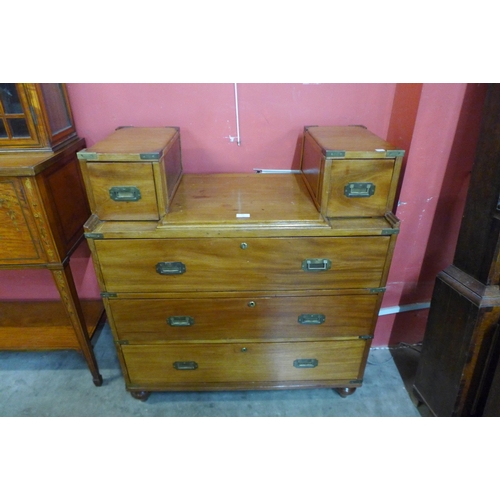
431,202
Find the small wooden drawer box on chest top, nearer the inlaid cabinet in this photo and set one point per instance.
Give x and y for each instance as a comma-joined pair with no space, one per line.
133,173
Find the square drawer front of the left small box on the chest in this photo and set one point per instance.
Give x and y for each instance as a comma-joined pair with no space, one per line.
123,191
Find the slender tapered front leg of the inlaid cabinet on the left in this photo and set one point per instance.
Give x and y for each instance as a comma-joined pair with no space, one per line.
67,290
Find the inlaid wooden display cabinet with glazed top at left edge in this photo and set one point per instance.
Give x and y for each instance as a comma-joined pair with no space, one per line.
43,207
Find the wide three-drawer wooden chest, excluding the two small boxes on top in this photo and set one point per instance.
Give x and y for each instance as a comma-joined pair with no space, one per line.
243,284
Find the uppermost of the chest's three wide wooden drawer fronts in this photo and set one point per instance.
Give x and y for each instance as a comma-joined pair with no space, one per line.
229,264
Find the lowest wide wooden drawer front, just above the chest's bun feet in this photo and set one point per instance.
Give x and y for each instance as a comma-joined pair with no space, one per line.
253,362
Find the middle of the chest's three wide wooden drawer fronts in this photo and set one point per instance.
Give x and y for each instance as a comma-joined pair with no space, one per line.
252,317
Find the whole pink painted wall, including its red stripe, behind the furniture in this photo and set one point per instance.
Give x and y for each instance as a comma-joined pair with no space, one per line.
436,123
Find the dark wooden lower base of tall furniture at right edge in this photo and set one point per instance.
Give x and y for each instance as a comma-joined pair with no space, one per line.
459,335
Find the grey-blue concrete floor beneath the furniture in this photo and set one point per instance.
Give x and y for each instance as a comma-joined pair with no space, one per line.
58,384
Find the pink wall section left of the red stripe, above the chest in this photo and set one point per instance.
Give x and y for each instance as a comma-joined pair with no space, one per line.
272,117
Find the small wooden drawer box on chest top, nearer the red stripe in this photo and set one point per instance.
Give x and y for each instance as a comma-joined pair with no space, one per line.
349,171
